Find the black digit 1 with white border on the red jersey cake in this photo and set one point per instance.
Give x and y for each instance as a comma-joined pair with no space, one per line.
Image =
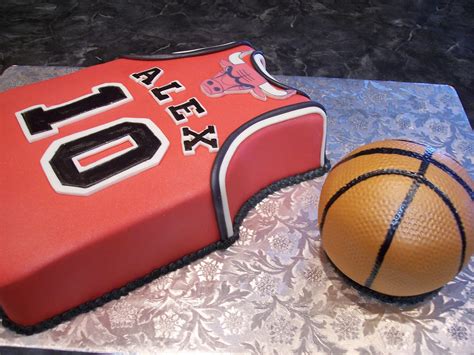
55,126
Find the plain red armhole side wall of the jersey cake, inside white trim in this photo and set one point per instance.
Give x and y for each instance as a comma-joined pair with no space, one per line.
277,151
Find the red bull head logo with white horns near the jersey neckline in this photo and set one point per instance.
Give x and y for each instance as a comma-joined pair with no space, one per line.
237,76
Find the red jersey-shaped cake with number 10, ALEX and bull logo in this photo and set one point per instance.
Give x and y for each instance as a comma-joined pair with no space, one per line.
124,171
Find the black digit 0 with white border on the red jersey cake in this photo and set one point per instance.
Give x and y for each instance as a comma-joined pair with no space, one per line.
72,190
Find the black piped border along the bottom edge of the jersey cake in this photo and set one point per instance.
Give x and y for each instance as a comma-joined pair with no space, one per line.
187,259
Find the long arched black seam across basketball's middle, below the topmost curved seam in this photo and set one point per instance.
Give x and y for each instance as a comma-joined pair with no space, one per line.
422,180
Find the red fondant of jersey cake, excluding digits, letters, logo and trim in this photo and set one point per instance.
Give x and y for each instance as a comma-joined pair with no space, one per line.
58,251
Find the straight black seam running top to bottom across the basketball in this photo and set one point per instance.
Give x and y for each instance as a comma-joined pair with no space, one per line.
398,217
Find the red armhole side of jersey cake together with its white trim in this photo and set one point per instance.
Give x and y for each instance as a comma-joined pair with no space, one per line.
282,143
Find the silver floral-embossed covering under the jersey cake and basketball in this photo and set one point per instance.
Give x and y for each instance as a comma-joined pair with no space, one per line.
274,290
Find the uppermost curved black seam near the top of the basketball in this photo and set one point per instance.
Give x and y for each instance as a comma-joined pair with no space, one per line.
398,151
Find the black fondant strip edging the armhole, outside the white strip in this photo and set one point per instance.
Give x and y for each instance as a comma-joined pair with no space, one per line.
215,188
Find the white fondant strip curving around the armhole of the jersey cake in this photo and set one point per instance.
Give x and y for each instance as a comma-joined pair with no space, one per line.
247,133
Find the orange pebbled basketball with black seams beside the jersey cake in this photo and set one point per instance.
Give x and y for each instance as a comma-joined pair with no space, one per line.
398,217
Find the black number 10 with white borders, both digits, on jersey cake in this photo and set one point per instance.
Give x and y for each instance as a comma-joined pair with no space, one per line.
61,161
